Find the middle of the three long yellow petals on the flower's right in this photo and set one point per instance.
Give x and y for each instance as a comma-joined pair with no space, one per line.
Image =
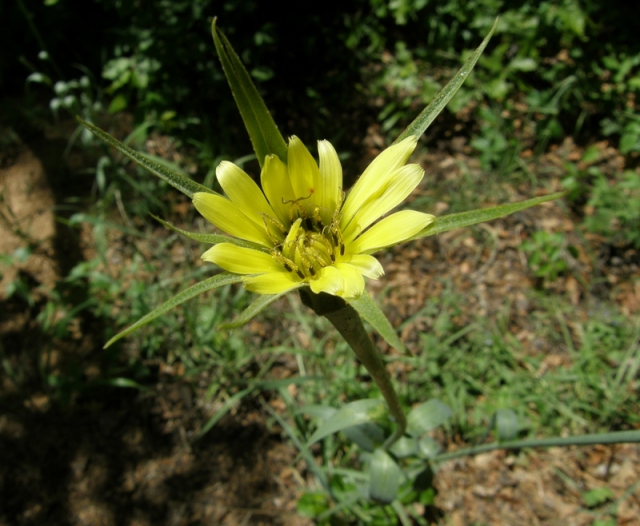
401,185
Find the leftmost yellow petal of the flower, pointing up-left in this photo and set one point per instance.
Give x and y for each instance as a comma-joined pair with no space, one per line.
229,218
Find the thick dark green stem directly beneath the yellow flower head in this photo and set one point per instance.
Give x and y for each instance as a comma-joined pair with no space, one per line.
350,326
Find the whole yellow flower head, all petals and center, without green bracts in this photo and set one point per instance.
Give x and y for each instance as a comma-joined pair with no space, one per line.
304,229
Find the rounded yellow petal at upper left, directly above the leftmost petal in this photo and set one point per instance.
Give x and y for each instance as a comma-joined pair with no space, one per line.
243,192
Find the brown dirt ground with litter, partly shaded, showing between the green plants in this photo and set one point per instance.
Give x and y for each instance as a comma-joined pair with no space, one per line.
124,457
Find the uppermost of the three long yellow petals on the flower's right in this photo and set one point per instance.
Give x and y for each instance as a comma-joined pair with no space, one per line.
376,177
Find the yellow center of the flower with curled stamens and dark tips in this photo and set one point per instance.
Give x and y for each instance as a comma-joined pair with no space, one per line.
310,245
